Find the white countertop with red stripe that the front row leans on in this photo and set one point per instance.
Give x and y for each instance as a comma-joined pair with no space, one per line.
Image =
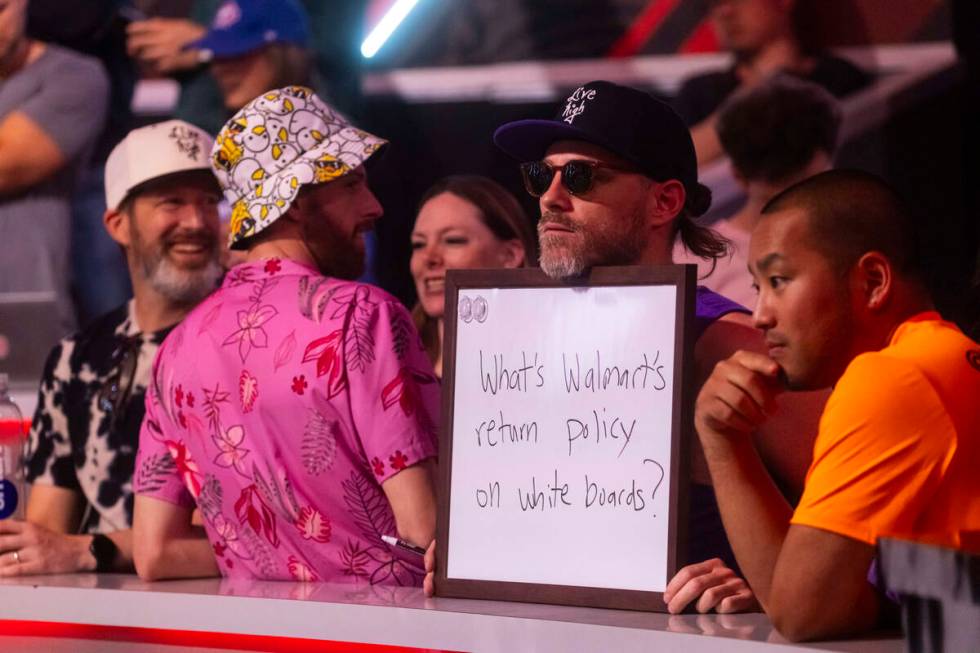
344,614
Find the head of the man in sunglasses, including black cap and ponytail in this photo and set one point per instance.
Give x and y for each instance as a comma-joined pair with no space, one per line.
628,180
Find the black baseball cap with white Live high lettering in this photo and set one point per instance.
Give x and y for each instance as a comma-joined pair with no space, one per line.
628,122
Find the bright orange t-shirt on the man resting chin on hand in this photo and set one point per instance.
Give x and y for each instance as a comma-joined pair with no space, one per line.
898,450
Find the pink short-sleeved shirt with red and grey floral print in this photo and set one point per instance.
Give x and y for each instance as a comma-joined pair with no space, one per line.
278,407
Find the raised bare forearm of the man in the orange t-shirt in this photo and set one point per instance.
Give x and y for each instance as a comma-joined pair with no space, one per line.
754,512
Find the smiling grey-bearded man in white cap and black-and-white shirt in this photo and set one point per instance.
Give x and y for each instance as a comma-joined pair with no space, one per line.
162,200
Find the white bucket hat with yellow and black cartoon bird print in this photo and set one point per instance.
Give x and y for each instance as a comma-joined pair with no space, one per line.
279,142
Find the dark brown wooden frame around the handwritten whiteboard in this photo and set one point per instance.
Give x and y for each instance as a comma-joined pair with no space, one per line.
684,279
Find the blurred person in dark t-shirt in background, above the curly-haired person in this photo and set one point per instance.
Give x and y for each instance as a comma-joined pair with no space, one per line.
762,38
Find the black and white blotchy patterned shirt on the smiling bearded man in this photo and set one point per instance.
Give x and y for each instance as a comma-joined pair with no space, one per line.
85,431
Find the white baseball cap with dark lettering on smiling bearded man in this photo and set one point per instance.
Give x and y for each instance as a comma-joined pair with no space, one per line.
155,151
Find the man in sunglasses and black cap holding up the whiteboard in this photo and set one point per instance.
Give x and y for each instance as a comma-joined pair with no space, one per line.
615,175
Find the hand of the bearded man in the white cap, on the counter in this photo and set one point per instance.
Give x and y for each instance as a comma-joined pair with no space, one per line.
27,549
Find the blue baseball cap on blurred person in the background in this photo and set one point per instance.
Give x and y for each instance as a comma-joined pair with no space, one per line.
242,26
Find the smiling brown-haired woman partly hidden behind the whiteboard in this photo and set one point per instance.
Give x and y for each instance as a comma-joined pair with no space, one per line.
464,221
